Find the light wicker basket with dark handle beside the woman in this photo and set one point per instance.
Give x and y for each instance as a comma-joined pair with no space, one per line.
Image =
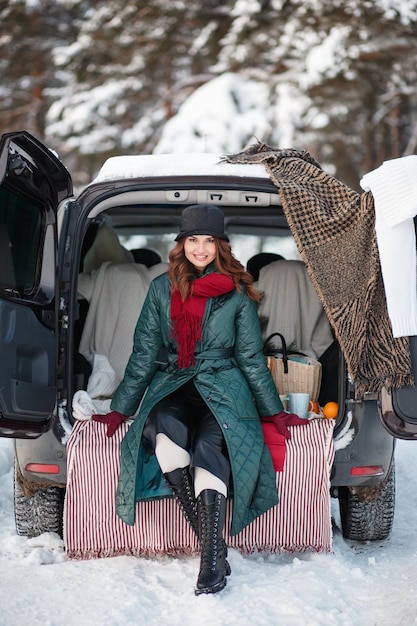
294,372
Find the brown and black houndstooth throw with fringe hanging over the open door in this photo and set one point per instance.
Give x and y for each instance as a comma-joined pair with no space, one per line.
334,230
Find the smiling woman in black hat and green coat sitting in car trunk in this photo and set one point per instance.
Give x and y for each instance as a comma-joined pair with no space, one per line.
198,356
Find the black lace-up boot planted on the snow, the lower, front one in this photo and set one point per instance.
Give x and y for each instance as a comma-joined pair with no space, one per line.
211,508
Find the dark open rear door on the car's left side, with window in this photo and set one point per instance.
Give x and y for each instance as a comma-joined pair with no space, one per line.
33,182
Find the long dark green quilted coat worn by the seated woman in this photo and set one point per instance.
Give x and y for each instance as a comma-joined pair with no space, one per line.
232,377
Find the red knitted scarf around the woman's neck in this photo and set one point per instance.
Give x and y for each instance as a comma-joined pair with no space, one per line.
187,316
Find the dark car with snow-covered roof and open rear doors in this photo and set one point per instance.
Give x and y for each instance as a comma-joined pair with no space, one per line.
45,231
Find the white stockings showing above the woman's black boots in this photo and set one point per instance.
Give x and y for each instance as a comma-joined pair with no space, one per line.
171,457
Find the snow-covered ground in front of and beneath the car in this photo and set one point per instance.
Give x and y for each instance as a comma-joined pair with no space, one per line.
358,585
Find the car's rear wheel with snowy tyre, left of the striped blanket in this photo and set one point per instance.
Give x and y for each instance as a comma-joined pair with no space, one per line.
39,513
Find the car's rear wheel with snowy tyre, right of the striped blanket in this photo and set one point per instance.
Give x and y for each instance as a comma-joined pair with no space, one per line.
367,513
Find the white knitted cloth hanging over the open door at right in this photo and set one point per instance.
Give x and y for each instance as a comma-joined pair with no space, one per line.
394,188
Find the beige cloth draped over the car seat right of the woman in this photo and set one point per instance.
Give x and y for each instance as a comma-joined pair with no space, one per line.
293,307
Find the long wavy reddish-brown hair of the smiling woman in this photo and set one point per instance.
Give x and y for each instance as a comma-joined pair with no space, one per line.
181,271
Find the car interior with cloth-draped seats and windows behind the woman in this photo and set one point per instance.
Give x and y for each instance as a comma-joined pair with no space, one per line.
111,279
